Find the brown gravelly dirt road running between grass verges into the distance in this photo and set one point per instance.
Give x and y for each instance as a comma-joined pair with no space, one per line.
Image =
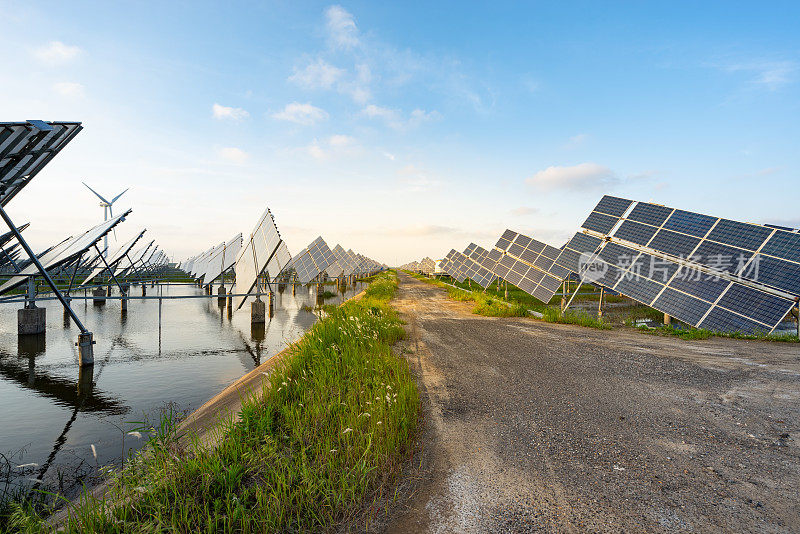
531,426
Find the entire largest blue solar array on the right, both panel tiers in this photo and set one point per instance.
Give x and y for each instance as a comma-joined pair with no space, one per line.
709,272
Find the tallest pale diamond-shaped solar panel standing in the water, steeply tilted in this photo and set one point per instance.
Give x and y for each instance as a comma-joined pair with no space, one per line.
263,251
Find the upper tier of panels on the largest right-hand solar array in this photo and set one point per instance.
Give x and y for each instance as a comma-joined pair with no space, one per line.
770,253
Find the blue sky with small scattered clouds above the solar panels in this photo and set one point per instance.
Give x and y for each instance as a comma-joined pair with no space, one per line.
402,130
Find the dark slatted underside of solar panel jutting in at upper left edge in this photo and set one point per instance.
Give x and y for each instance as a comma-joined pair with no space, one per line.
25,148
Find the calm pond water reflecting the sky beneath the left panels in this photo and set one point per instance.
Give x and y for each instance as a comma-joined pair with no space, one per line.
52,412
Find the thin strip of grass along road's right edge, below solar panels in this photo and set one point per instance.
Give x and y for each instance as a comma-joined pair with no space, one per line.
551,312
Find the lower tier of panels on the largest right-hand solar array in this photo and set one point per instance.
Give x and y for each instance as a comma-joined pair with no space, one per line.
687,294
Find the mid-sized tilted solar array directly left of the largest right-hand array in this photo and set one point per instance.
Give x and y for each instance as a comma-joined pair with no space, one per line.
535,267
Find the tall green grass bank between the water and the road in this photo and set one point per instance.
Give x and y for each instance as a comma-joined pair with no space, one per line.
321,445
